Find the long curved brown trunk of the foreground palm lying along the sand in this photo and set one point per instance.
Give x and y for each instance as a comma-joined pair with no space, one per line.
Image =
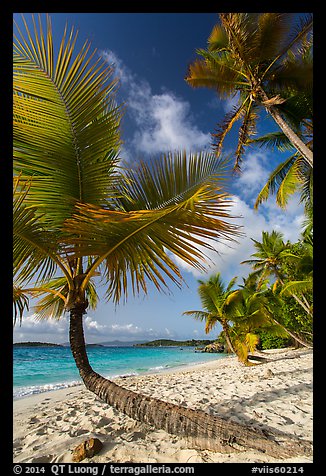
203,431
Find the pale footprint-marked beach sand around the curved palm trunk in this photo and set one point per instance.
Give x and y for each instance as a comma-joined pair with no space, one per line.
273,395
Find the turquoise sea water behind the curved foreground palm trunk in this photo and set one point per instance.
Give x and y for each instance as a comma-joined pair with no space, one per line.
40,369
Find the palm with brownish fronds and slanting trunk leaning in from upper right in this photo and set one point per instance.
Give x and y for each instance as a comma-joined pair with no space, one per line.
259,56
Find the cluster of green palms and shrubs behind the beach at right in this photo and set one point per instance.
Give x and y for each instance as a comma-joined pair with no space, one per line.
266,310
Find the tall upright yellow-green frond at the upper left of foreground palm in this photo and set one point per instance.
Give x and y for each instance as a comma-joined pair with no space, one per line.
65,123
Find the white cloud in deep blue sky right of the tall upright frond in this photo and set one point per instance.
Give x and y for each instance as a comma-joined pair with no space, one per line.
163,121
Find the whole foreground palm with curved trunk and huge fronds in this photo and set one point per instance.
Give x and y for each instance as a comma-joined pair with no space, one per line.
78,214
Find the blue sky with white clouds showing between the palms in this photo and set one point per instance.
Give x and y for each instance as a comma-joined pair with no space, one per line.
151,53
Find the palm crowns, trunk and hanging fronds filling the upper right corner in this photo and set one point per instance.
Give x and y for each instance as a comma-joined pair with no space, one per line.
266,62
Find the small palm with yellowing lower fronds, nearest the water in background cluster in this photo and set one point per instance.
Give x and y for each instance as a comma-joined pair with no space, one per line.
217,300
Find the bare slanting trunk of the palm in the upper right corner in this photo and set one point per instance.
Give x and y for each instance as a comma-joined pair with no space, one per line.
288,131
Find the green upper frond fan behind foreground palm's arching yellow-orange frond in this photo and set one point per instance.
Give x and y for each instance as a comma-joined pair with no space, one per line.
172,179
